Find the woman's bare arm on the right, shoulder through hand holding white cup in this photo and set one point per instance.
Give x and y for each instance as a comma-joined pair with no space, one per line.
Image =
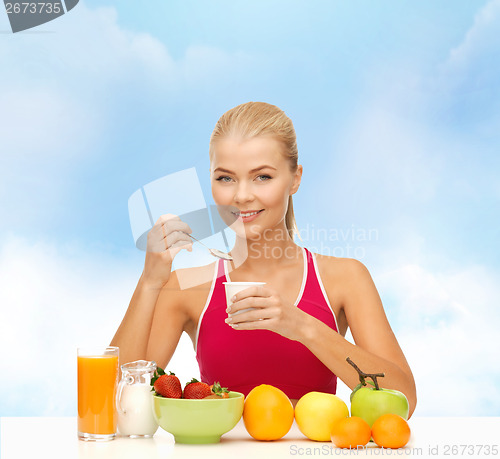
376,349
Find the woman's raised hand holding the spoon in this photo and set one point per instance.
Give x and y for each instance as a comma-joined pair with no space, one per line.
165,240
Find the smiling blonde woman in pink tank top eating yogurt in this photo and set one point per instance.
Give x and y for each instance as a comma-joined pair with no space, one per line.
293,337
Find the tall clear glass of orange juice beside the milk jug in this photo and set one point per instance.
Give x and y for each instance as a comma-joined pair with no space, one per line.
97,381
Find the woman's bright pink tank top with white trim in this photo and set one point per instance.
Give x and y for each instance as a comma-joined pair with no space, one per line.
243,359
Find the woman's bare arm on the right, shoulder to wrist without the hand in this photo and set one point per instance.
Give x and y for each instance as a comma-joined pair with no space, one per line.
376,349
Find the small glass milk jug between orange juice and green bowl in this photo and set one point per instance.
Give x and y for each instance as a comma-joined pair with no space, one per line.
134,400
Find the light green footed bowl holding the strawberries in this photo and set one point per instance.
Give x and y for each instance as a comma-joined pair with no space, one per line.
198,421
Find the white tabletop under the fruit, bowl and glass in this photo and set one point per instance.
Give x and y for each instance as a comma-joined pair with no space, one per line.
38,437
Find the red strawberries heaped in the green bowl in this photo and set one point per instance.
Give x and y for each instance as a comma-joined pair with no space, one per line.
169,386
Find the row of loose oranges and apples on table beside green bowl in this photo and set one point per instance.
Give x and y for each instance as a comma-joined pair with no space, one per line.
377,414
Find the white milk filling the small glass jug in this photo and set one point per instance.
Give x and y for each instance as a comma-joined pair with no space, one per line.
135,411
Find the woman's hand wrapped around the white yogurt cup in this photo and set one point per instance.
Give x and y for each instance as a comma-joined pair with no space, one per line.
271,312
